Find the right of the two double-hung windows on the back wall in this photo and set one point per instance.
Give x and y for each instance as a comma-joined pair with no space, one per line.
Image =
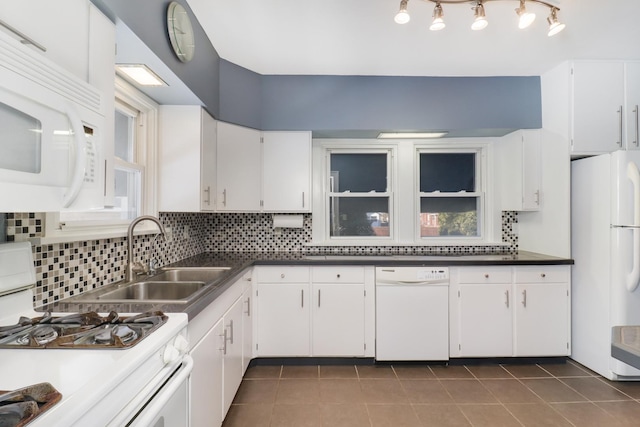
448,197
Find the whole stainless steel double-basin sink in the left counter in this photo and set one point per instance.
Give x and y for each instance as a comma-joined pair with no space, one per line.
170,286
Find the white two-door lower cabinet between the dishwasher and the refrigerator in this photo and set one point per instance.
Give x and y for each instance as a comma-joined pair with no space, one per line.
510,311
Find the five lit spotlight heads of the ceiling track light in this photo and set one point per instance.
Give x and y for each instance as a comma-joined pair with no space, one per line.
525,17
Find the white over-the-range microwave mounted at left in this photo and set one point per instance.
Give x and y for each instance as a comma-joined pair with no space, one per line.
50,146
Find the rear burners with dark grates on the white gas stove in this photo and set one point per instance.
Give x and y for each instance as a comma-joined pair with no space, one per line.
80,330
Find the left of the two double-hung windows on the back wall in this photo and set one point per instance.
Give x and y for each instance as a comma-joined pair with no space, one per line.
359,197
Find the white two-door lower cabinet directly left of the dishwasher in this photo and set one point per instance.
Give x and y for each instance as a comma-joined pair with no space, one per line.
317,311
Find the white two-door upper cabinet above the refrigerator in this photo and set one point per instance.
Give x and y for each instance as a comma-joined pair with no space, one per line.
593,104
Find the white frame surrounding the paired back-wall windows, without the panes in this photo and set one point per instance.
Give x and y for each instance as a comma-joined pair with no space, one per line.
405,222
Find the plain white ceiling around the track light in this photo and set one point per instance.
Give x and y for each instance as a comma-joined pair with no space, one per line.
360,37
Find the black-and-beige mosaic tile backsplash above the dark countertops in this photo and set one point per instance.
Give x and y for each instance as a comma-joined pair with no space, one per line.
64,269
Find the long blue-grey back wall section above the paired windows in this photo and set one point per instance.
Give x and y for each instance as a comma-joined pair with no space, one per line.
399,103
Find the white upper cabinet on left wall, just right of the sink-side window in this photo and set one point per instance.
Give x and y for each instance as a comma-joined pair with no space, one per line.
186,158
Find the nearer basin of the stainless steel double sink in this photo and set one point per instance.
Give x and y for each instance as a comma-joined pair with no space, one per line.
153,291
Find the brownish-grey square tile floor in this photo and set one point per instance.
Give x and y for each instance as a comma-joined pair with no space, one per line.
472,395
